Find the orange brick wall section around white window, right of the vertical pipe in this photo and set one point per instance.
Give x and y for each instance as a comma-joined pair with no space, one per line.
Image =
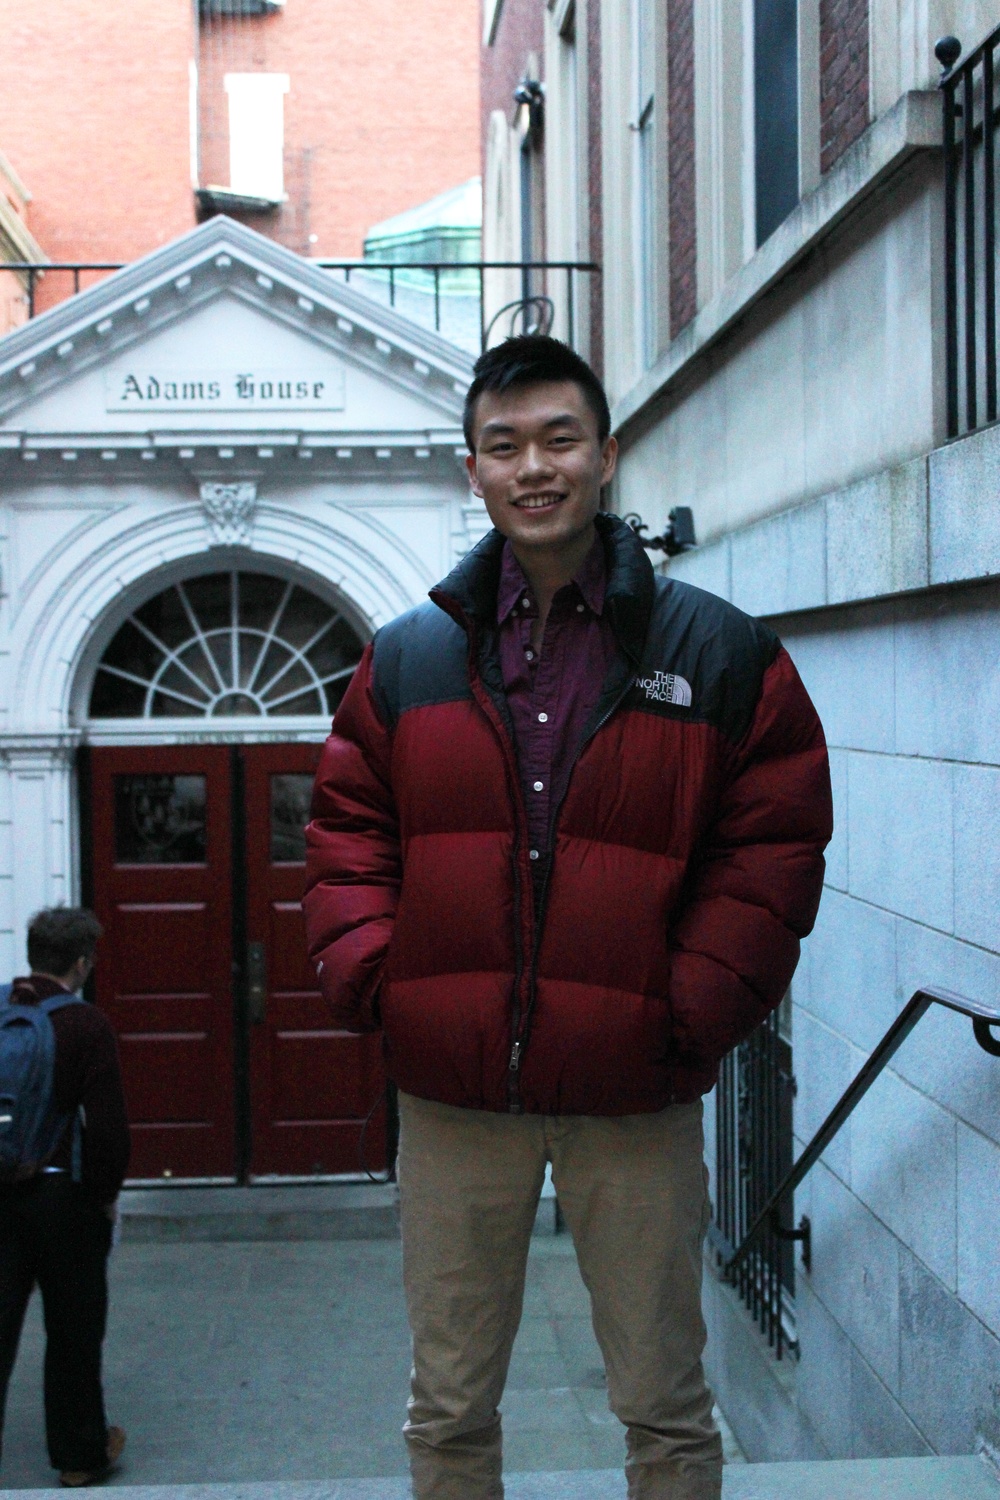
383,112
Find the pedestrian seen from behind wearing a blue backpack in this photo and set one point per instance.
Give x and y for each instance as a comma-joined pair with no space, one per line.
64,1156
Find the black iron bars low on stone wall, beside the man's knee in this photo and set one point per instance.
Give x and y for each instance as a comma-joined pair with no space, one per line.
755,1148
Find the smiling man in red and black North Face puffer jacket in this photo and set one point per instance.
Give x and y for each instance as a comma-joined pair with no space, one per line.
569,832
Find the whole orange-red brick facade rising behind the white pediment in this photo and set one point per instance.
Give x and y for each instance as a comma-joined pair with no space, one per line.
95,115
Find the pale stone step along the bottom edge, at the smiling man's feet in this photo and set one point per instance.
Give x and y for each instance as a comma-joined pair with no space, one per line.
851,1480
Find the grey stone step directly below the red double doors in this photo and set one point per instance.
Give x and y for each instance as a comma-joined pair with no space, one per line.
311,1211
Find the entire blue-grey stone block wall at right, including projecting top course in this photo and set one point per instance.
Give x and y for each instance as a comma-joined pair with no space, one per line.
900,1316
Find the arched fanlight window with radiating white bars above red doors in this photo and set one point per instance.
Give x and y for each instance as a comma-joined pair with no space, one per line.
223,646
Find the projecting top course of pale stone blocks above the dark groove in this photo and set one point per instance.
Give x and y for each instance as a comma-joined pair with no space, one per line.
929,523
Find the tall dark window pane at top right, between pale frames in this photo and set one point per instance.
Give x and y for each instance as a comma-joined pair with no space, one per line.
776,113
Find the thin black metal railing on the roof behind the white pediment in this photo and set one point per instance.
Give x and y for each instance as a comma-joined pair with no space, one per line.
464,301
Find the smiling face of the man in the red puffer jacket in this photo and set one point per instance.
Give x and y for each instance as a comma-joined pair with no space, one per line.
539,466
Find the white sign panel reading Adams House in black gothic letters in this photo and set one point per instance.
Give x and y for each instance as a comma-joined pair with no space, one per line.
143,389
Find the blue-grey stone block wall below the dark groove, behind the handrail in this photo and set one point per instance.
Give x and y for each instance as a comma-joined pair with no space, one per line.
902,1306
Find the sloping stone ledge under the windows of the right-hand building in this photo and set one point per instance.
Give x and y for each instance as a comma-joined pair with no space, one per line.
912,125
